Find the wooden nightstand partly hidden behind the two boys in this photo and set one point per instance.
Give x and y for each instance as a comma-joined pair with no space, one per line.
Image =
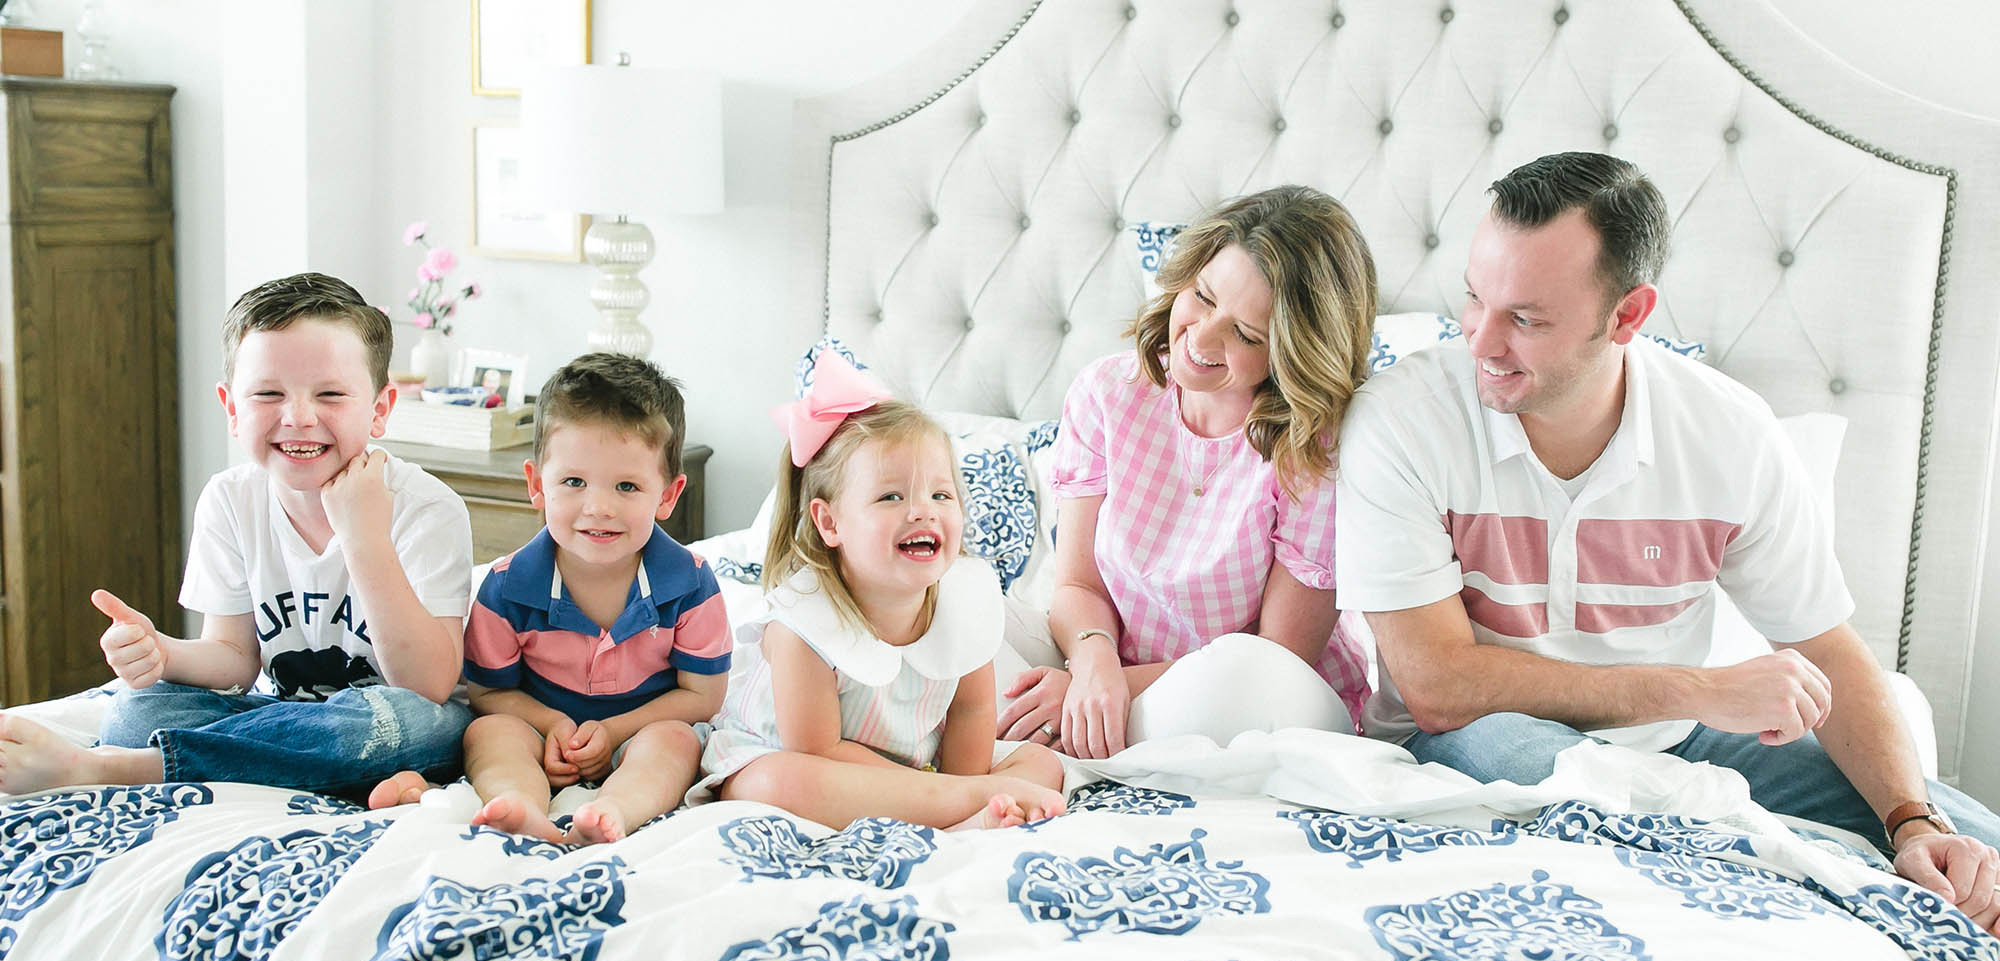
497,494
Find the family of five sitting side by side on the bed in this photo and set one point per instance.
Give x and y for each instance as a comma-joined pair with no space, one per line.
1535,526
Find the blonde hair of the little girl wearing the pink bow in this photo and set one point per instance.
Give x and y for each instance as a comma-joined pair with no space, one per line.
795,542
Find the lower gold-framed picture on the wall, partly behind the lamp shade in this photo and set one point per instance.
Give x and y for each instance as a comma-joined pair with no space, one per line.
503,221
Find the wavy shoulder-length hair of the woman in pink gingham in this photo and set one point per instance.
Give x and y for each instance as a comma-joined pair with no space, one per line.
1323,287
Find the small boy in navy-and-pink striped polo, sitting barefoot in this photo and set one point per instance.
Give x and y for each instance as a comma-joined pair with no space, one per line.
595,648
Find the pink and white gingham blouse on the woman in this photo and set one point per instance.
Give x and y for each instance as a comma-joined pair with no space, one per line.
1185,570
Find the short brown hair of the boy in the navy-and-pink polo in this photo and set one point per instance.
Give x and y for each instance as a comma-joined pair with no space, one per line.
621,391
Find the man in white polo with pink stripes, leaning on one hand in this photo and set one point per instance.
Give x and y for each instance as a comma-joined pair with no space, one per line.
1537,524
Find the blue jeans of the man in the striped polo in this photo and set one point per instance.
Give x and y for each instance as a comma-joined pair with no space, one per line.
1791,780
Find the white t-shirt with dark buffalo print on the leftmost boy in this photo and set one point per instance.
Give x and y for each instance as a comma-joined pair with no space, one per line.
313,634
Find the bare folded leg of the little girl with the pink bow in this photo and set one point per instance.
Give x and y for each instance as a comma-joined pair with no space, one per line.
839,792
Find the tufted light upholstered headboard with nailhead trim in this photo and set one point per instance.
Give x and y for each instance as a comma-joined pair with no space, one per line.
1837,243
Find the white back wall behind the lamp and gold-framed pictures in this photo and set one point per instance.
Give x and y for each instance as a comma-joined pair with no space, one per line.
719,285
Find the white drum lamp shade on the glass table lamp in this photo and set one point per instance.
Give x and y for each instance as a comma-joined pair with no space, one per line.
623,139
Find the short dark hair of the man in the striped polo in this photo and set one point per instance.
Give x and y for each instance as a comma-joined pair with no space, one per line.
1627,211
